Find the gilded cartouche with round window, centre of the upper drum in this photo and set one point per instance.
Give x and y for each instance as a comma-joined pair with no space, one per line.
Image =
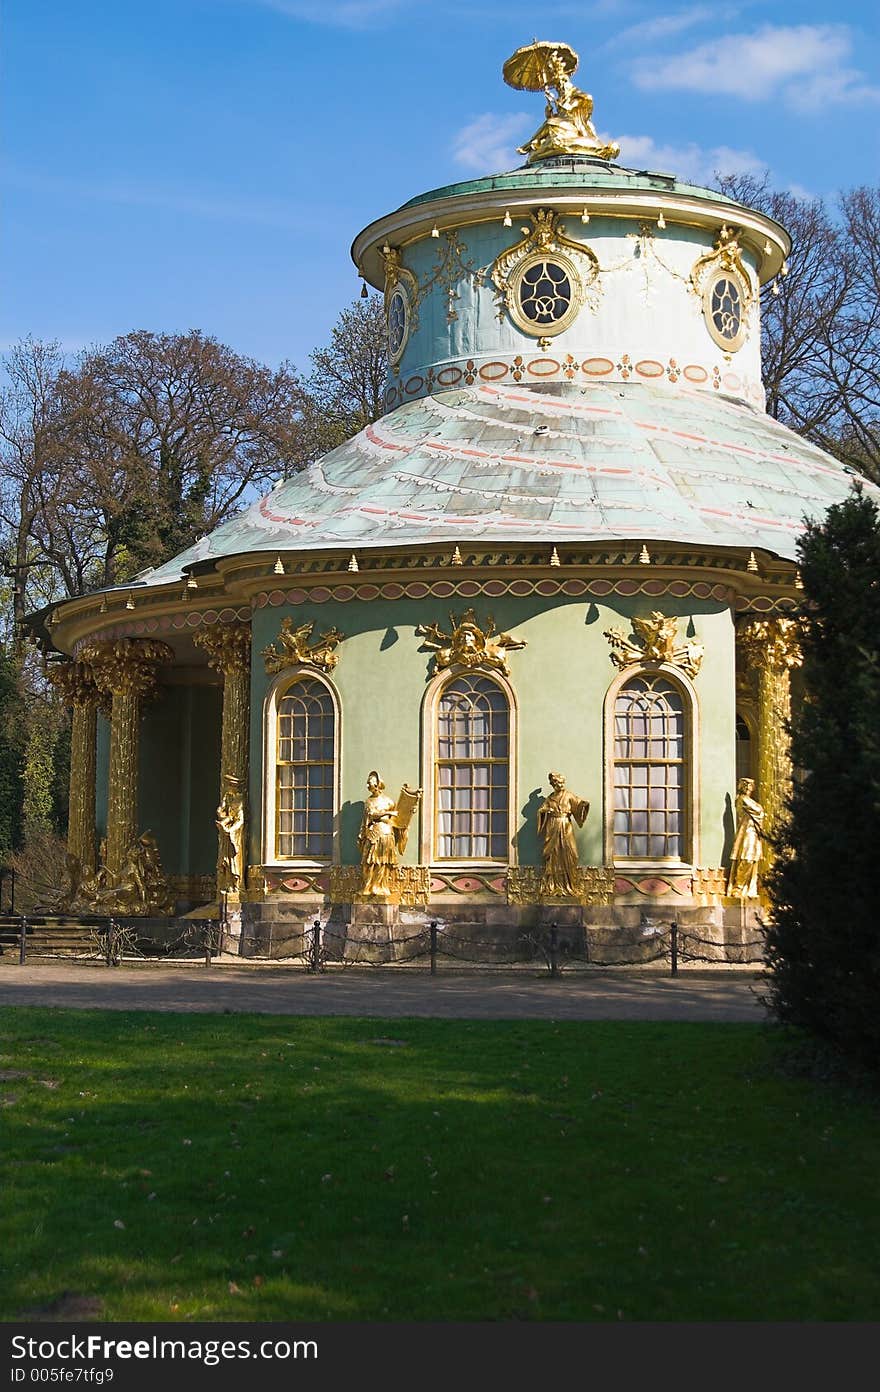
544,280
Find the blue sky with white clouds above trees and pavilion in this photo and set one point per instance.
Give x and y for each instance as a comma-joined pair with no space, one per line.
178,165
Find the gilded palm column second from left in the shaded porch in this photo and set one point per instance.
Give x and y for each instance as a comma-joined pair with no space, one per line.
126,669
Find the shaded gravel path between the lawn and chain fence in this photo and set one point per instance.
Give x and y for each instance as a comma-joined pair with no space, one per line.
716,995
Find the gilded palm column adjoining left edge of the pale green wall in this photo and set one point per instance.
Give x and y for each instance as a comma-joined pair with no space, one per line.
229,652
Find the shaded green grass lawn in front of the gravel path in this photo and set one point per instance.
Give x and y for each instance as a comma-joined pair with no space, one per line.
251,1167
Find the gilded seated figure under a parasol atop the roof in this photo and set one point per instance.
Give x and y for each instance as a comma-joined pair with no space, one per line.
567,127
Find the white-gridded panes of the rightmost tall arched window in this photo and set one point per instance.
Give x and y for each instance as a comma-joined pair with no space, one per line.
650,770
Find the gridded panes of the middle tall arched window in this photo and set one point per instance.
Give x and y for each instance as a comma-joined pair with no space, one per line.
473,772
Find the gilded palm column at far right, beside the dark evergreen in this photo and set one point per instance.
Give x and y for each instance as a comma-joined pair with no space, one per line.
771,648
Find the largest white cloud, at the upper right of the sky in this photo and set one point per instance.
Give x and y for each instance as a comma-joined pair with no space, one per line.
806,63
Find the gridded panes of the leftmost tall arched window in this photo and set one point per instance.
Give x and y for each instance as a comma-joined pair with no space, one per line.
306,773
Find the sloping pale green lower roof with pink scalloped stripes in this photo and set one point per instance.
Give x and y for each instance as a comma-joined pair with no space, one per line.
563,463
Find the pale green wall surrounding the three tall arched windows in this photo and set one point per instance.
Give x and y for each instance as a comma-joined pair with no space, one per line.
560,680
